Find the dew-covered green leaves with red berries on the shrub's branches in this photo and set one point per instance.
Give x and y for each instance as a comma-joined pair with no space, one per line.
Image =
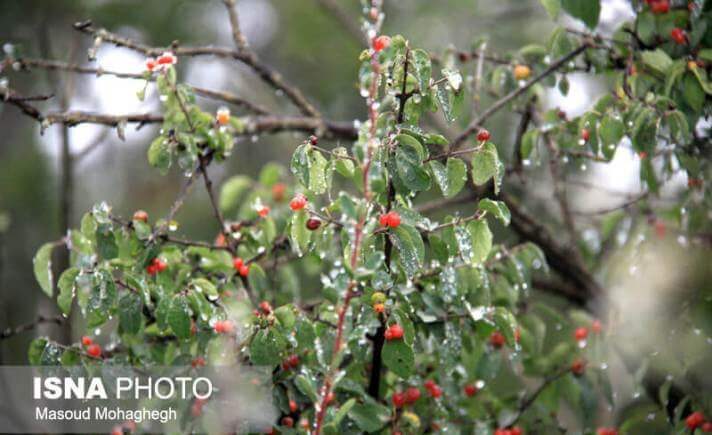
452,283
